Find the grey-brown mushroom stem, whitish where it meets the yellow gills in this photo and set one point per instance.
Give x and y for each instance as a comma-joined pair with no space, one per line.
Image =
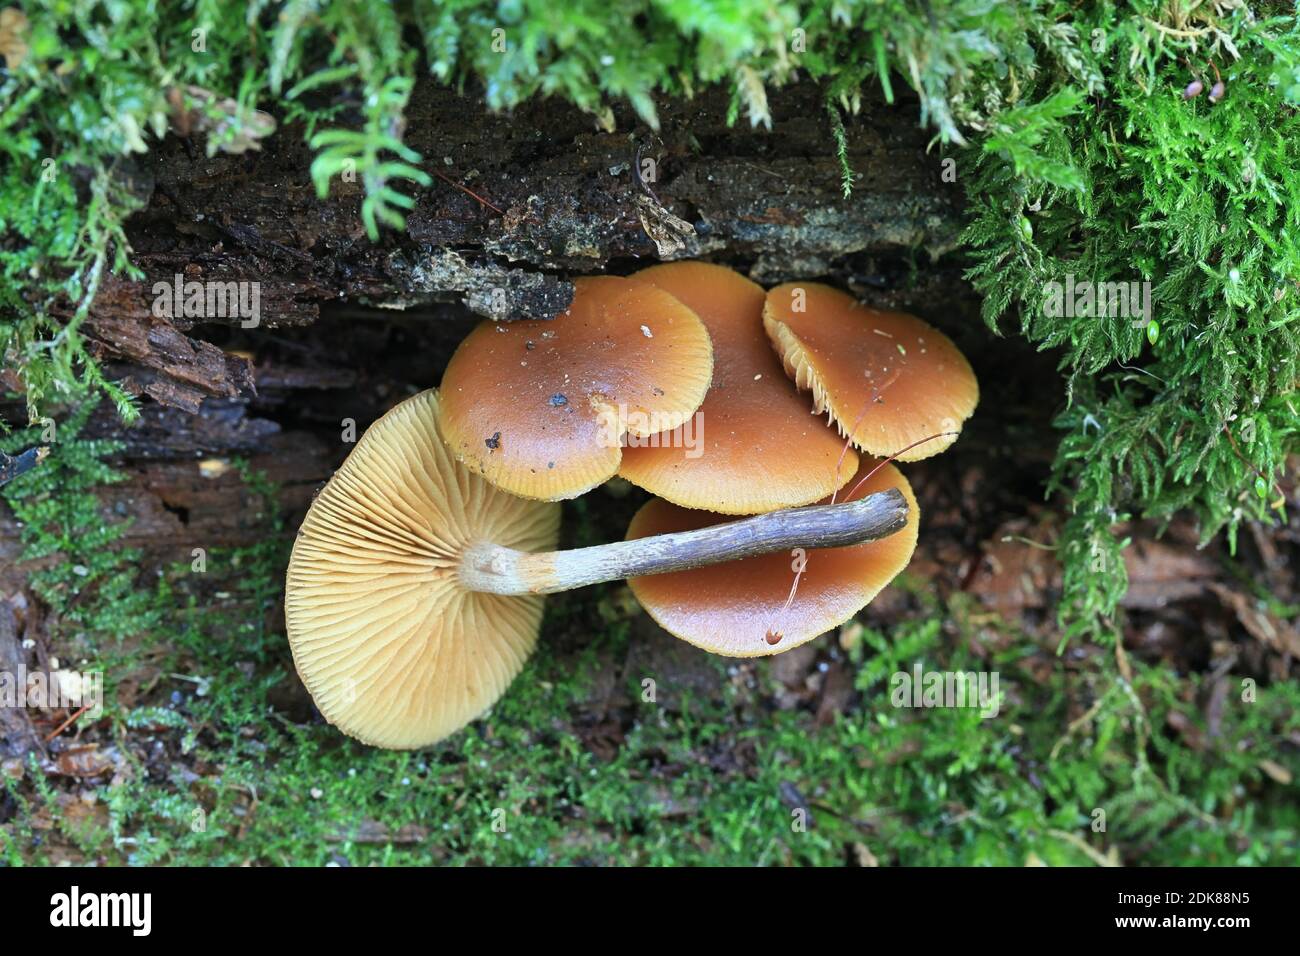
497,570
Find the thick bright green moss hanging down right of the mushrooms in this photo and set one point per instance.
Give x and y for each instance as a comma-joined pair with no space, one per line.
1195,409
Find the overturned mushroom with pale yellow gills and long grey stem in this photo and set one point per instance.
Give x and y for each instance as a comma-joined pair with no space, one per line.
414,591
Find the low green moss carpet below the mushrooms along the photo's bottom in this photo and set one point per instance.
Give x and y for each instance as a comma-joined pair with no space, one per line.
929,788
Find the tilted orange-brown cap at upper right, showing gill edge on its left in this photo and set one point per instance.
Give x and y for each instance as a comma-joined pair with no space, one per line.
887,377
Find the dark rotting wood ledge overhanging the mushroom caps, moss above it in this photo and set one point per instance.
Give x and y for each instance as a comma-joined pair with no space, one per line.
521,204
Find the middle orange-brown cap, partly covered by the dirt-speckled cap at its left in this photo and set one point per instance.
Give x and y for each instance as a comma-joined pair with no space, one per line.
753,447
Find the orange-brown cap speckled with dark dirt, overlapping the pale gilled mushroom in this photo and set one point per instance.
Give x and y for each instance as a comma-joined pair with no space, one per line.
540,408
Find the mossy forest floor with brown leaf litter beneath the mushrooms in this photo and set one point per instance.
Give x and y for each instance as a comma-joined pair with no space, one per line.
1178,747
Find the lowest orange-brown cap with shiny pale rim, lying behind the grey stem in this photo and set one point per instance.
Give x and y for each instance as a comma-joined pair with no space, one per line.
731,609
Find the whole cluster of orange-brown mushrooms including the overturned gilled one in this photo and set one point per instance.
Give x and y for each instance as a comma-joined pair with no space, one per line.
417,582
